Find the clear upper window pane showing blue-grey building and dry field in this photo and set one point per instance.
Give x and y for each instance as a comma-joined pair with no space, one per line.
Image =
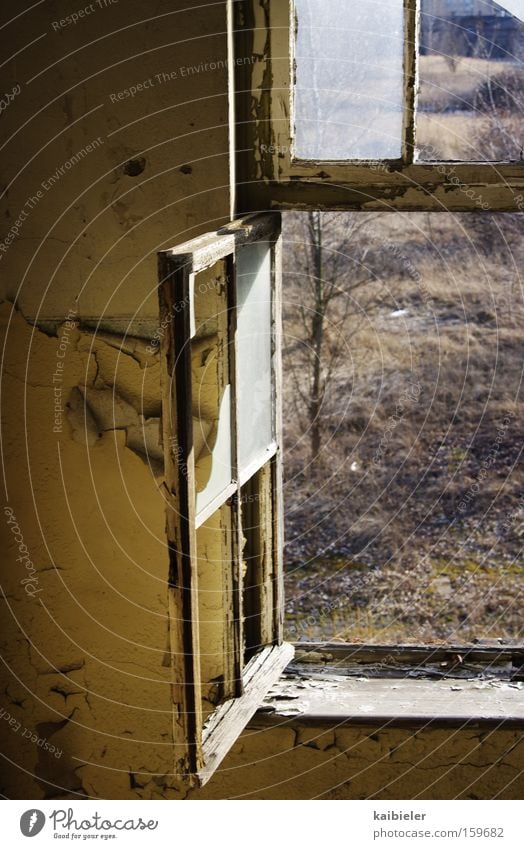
471,96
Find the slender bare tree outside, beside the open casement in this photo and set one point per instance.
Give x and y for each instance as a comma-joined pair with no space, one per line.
328,252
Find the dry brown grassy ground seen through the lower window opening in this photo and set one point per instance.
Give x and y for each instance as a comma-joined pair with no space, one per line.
376,534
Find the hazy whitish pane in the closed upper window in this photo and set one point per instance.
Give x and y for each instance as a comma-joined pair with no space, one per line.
349,79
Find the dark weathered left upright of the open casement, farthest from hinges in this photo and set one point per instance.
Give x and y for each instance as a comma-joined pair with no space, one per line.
180,518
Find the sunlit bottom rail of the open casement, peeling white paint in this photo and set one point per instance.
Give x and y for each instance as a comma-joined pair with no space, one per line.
223,728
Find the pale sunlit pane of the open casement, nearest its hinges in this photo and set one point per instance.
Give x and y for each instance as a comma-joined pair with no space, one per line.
254,395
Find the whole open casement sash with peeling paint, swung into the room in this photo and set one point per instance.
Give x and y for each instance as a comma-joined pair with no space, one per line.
220,319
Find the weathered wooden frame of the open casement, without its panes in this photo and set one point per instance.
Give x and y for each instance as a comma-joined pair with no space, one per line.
199,745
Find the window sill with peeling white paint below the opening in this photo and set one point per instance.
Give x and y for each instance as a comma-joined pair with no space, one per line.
398,686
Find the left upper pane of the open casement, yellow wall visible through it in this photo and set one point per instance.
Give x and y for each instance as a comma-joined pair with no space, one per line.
210,385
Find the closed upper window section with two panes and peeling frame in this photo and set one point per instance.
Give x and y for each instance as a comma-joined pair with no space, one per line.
376,104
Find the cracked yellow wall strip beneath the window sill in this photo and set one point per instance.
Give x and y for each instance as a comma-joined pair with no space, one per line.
293,761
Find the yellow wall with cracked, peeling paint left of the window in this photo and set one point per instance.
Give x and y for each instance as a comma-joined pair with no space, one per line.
116,145
